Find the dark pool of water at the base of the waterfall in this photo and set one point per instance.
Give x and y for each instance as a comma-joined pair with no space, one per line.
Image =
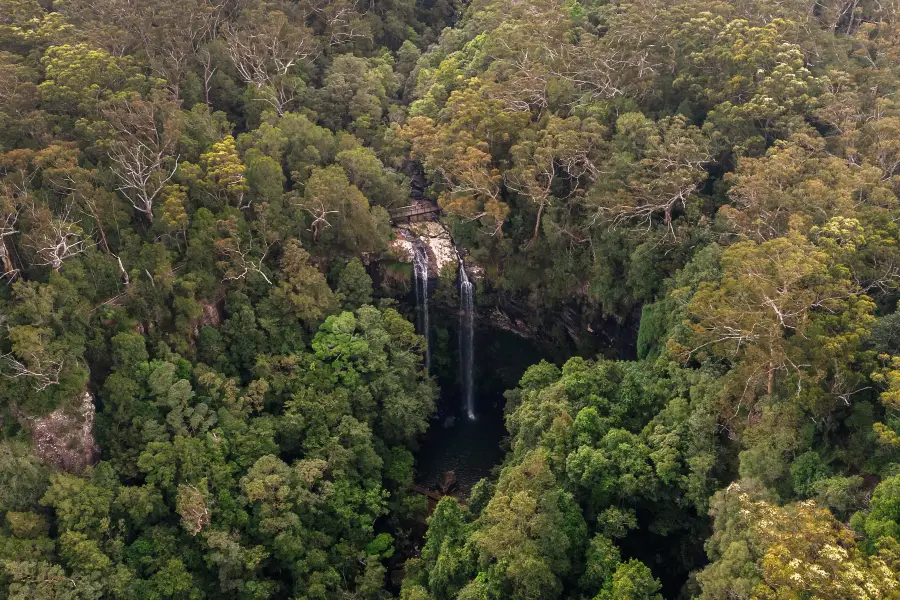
468,448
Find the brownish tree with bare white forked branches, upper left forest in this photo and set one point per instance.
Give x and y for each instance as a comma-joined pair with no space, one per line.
142,153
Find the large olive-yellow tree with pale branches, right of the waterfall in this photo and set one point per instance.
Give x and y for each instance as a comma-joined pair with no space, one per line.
766,292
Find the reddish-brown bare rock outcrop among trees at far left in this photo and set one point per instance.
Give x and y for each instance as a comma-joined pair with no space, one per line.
65,438
